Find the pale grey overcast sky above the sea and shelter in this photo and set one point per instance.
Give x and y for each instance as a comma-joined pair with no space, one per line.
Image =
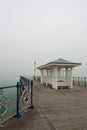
42,30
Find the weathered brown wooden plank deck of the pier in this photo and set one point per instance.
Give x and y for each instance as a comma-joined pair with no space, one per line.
62,109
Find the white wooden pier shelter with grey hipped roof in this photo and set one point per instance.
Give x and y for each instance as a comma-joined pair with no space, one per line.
58,73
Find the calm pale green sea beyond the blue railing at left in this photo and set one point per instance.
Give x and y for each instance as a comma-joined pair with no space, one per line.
5,81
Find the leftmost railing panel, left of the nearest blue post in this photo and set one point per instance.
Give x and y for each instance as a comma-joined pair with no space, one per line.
7,103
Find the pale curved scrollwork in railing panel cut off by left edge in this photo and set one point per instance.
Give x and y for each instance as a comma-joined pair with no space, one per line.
3,105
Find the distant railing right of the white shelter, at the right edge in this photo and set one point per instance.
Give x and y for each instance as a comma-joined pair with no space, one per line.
79,81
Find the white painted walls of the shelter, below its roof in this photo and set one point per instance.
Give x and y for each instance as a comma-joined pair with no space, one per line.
55,78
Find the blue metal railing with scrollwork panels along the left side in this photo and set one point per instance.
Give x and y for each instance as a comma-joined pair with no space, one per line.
18,99
